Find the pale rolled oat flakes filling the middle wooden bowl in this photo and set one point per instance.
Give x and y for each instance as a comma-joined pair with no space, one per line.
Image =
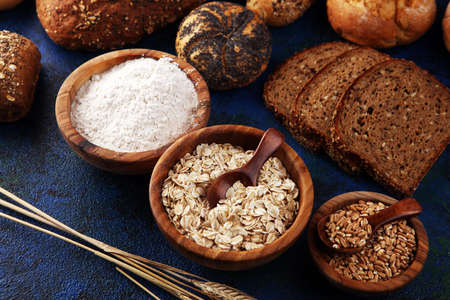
248,218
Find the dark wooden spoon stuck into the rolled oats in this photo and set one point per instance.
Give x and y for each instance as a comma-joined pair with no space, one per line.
247,174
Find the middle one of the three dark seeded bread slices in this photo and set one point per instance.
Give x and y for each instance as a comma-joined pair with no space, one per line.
312,111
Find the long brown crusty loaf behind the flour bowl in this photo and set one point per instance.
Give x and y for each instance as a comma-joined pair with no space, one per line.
105,24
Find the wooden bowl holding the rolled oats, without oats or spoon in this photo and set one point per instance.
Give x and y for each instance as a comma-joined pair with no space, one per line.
248,138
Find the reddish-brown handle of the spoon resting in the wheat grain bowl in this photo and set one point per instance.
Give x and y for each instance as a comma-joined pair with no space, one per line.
403,208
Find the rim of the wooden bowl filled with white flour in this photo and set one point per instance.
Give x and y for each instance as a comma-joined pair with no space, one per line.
66,94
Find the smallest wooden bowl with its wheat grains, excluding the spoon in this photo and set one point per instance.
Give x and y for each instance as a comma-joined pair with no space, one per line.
392,259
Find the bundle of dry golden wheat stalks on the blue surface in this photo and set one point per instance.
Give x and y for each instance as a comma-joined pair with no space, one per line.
157,273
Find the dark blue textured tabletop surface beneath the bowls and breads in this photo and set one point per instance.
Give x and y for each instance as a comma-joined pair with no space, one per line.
36,164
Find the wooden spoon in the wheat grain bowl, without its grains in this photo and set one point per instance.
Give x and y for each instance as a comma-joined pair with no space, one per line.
404,208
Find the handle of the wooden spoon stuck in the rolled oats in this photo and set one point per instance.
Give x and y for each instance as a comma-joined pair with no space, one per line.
270,142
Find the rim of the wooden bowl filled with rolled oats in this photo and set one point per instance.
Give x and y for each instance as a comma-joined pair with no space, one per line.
269,251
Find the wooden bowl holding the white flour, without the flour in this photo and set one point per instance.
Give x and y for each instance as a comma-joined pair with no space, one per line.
120,162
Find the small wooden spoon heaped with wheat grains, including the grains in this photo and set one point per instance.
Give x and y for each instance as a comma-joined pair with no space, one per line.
347,232
